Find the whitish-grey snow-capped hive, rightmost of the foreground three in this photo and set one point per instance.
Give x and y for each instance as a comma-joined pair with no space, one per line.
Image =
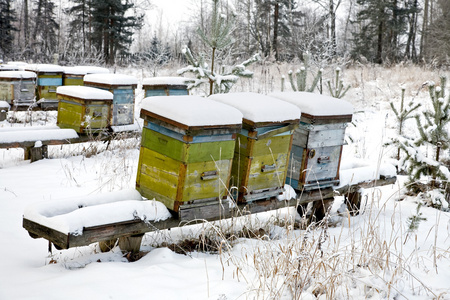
317,147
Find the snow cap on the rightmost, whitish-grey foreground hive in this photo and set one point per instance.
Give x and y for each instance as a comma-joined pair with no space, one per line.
316,104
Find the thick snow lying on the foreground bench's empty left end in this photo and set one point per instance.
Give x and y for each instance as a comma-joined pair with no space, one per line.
72,214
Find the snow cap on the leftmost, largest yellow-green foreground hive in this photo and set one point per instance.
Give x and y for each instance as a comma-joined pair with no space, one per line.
193,110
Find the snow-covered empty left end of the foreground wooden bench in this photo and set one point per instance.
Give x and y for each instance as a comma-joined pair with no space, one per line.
81,221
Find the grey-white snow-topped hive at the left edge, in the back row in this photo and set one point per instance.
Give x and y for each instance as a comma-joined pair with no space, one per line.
18,87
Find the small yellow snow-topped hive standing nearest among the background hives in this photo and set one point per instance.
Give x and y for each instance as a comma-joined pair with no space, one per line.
84,109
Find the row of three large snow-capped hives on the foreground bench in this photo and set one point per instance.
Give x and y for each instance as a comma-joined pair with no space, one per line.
198,151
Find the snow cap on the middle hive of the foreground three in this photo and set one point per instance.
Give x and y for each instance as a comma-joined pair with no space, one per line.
259,108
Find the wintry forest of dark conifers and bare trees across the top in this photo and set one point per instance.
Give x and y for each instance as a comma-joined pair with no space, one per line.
118,32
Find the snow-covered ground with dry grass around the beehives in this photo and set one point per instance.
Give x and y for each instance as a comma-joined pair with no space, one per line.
372,255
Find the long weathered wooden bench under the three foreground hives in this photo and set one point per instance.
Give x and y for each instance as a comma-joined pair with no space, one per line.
130,232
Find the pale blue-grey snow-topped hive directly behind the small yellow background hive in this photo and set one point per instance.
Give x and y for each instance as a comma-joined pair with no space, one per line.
123,89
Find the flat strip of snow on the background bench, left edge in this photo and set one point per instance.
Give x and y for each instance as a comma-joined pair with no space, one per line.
36,135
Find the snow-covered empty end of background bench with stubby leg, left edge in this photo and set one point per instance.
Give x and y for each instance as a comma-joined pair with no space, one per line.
34,140
